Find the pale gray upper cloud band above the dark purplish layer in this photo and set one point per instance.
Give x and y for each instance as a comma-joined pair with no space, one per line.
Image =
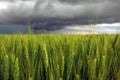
64,8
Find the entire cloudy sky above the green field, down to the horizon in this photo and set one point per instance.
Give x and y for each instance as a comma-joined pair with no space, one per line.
60,15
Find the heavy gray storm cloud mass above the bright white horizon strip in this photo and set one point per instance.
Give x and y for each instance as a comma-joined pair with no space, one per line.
59,12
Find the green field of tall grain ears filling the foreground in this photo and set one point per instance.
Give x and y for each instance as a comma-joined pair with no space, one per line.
59,57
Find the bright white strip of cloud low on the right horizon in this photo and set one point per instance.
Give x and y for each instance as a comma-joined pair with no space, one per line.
85,29
